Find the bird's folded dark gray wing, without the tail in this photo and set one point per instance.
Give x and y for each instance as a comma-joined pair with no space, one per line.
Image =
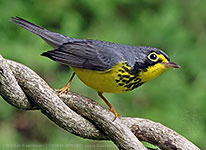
87,54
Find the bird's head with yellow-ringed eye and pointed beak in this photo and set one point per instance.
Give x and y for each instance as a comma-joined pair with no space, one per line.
153,63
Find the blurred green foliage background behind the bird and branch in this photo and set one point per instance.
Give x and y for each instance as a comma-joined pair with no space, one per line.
176,99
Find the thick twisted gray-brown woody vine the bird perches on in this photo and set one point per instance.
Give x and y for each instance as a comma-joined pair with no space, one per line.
24,89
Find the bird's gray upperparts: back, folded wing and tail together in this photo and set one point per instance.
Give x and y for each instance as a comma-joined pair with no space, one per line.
88,54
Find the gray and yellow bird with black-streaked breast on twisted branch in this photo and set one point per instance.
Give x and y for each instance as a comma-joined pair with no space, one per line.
104,66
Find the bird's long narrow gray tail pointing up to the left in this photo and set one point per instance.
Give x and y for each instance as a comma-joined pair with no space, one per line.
52,38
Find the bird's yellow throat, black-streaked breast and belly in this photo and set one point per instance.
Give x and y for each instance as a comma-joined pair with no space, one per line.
118,79
